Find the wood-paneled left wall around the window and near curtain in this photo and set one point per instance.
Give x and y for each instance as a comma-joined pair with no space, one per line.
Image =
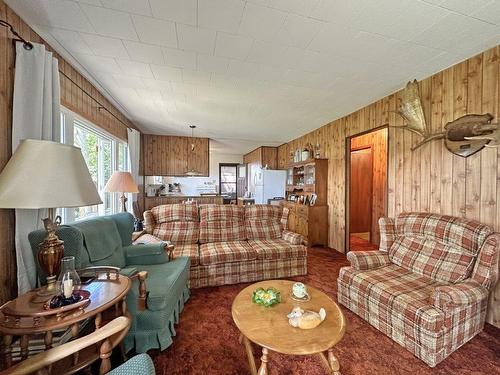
71,96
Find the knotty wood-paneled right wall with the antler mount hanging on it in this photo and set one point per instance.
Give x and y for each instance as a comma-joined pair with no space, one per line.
430,179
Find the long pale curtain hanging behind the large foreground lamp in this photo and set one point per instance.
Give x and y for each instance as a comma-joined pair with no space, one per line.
35,115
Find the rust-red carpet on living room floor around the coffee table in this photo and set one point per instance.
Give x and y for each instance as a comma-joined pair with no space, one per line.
207,340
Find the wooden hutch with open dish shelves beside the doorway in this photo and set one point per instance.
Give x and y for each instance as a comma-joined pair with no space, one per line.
303,180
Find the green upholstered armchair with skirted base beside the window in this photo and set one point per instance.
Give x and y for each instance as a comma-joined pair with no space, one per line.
107,241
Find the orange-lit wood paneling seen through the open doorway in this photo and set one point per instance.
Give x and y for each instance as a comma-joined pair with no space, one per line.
378,141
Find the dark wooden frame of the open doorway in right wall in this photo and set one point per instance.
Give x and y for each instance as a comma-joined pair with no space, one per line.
347,173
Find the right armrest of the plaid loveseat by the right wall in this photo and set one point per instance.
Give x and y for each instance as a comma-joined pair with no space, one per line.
448,297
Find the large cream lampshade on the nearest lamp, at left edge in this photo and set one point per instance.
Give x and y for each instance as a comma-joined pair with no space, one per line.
45,174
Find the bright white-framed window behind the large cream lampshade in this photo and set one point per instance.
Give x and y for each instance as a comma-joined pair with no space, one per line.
103,154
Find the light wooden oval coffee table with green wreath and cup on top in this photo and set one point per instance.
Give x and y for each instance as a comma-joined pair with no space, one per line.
268,326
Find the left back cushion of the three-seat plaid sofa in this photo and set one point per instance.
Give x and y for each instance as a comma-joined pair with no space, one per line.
177,223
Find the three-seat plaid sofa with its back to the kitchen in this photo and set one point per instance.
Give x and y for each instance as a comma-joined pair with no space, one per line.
230,244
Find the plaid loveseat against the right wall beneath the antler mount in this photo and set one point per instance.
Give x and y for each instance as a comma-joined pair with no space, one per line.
427,286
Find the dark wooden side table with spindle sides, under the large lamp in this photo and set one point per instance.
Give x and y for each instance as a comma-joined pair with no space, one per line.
107,301
